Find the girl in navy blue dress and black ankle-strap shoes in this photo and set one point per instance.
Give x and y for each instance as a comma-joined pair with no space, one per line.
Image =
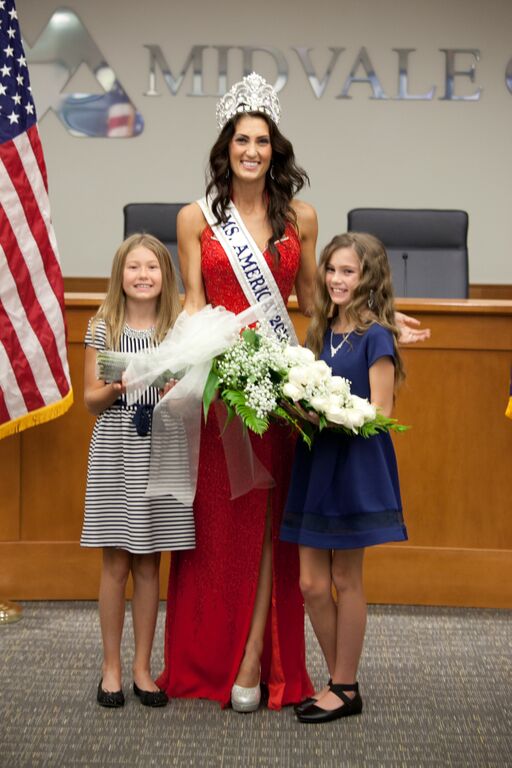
344,494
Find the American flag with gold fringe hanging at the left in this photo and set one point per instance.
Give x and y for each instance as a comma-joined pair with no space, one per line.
35,385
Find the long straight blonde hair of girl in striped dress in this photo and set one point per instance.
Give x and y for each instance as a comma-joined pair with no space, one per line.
112,309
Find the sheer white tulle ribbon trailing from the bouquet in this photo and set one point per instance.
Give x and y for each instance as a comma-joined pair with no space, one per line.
187,351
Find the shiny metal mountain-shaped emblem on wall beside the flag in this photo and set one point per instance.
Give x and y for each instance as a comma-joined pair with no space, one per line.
63,46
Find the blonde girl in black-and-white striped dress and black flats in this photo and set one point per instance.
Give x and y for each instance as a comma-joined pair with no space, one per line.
141,305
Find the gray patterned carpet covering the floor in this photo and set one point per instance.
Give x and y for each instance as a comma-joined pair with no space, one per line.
436,684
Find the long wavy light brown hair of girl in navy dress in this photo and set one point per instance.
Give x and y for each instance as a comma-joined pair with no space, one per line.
372,301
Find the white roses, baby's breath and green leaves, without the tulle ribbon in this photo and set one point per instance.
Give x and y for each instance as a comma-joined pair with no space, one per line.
261,378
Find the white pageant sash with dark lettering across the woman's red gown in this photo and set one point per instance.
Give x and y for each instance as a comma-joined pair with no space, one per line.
251,269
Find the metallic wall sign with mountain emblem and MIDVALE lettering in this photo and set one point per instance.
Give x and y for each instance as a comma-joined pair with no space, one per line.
65,45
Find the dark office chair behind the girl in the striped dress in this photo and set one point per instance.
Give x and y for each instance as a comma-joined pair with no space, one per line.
159,220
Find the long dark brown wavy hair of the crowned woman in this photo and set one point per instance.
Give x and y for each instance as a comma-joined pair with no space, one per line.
282,182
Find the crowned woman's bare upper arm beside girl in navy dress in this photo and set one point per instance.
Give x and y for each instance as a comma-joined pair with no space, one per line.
308,233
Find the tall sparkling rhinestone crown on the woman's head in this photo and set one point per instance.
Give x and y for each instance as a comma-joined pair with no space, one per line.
252,94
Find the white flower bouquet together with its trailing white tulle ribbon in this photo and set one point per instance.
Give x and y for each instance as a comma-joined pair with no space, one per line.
257,375
